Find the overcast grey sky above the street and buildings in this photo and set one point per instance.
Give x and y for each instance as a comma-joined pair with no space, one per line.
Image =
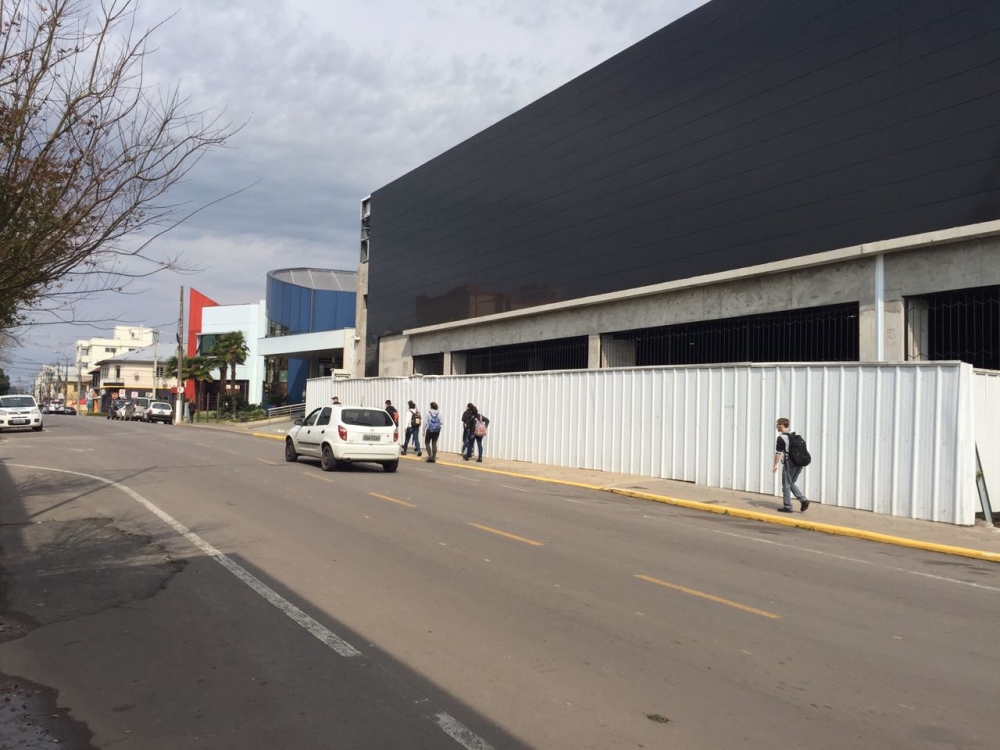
342,98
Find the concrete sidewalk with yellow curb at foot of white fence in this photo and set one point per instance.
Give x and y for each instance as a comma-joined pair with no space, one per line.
981,541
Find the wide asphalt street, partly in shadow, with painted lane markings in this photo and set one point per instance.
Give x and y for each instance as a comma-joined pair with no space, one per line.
475,610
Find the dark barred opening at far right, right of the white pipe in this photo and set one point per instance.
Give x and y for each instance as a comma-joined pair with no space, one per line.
965,325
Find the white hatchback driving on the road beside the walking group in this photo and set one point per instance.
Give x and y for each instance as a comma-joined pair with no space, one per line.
340,434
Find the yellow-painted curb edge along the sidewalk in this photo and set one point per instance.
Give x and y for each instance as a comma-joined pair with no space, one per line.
749,515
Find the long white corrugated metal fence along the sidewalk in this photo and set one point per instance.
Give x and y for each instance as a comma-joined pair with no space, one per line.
896,439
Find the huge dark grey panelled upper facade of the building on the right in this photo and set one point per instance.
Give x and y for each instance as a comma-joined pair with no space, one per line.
746,133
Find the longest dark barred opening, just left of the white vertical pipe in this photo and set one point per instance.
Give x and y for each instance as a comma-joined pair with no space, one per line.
818,334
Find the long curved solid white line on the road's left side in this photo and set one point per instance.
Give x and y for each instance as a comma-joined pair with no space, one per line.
321,633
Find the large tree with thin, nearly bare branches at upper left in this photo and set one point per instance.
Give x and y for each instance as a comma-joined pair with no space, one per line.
88,150
